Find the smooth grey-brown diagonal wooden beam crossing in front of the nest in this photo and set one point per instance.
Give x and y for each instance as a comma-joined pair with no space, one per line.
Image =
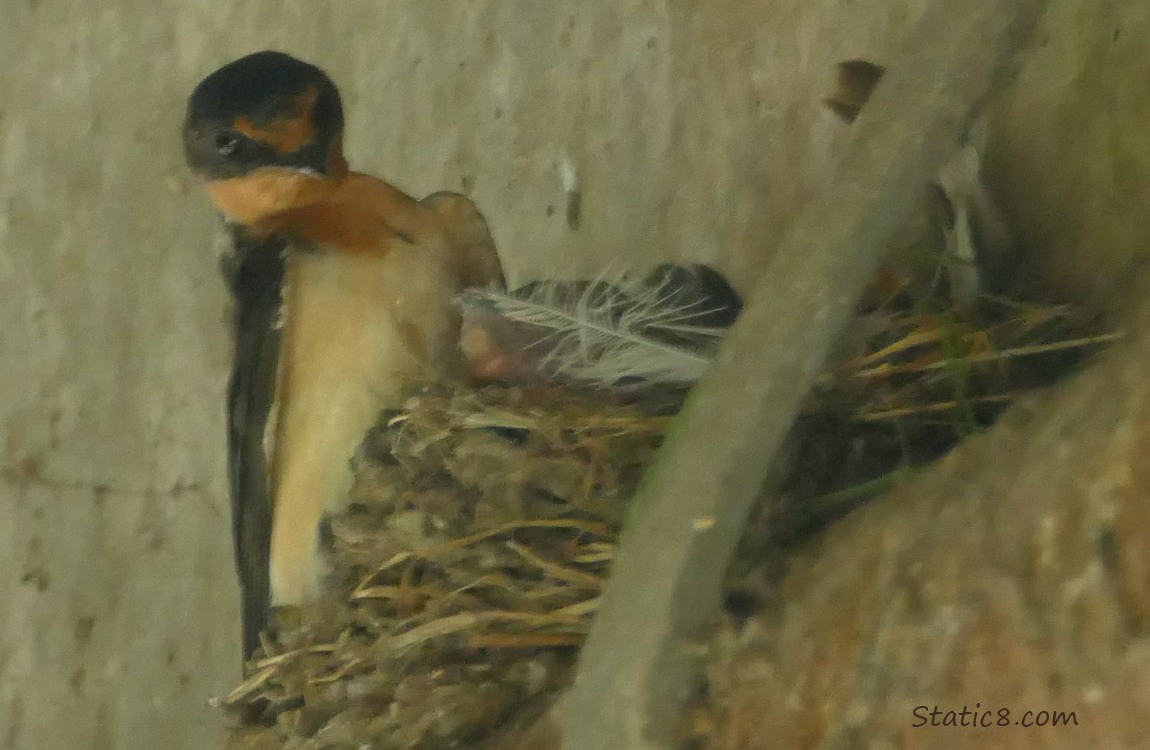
637,669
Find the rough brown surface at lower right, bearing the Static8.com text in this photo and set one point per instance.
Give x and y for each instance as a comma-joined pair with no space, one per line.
1010,578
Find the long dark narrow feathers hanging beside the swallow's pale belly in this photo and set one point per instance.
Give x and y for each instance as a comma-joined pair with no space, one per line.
256,274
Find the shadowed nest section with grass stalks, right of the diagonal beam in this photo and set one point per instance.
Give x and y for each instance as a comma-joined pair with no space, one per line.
916,377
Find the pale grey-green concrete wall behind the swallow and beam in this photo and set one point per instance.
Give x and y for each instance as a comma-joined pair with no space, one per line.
693,133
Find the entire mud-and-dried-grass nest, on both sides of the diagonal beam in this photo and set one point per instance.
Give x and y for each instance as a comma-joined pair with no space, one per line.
484,524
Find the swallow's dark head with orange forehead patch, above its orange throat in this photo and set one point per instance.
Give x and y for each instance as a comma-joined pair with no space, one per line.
265,111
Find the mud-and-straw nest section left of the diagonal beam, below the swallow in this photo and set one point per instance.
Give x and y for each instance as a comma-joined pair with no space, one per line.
470,565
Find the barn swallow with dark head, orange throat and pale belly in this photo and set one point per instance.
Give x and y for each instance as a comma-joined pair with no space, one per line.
343,288
